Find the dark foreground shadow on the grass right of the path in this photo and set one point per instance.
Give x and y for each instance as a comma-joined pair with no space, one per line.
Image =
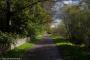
73,53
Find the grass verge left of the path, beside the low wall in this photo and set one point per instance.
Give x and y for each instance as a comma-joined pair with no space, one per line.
17,52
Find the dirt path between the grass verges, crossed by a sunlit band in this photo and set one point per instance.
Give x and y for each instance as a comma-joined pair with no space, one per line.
45,50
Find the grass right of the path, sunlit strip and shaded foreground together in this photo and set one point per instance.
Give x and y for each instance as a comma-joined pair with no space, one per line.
71,51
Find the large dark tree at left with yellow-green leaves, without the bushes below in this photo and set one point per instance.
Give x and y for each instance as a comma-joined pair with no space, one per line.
18,14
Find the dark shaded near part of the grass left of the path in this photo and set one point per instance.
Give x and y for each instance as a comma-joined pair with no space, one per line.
16,53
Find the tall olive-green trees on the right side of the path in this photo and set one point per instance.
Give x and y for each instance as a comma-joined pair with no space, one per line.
77,22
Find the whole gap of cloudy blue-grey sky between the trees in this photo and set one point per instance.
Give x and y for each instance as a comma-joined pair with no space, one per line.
56,10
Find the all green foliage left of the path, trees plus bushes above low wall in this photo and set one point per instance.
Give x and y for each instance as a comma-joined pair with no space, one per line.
21,18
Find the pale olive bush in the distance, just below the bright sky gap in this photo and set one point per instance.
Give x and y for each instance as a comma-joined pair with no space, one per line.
60,30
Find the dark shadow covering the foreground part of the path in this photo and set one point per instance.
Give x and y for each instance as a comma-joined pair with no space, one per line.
43,53
